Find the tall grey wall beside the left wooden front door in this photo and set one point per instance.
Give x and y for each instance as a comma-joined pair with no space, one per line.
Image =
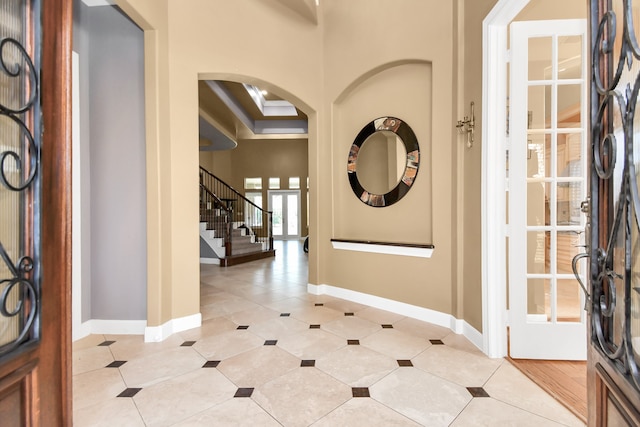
113,160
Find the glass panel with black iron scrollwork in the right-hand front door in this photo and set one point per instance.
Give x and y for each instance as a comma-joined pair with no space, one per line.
616,87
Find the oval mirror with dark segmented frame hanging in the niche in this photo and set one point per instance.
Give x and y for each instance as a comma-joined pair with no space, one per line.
383,161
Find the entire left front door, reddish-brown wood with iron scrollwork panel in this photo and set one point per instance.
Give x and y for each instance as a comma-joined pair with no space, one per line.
35,50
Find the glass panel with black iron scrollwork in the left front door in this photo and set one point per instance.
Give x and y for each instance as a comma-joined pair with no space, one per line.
19,159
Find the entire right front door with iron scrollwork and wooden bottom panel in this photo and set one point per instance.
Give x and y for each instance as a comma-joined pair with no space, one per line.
614,351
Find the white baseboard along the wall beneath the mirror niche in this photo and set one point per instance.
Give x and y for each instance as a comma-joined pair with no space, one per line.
458,326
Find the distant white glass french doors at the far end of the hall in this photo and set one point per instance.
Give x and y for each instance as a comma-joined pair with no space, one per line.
285,205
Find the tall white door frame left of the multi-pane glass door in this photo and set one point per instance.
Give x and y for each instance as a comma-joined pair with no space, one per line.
493,204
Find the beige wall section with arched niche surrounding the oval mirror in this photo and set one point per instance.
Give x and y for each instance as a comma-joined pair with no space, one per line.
405,73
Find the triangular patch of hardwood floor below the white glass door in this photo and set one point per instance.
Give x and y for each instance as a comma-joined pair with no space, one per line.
564,380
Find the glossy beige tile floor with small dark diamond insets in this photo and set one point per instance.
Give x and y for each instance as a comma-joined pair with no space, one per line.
269,354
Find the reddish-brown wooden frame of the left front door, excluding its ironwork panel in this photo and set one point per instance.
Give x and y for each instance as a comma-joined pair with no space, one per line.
43,372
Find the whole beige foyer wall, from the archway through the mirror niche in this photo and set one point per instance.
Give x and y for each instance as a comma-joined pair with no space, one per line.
343,72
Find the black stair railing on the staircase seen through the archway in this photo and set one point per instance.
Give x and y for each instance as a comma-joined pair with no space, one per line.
221,206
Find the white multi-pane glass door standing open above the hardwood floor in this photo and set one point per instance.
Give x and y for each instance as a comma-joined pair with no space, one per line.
547,182
